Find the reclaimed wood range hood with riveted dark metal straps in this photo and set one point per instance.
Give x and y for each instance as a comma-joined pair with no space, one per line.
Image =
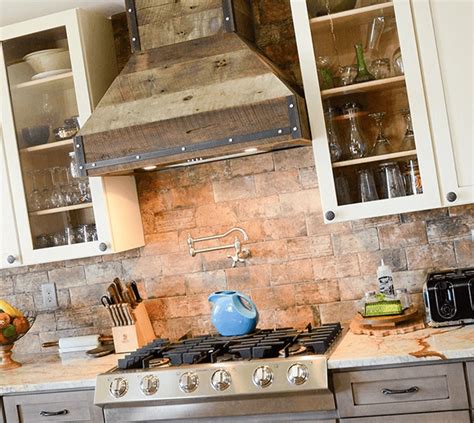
195,89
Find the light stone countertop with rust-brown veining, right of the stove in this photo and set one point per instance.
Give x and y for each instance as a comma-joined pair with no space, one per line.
423,345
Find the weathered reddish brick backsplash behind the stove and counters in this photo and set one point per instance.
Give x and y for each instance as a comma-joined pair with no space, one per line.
301,270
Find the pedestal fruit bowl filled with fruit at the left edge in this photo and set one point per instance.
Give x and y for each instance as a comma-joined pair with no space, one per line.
14,324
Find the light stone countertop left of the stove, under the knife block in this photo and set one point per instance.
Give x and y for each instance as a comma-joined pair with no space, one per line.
42,372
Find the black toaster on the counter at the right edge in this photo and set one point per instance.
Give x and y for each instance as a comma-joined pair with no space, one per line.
449,297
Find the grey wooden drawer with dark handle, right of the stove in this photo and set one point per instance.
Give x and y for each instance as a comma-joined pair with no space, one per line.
401,390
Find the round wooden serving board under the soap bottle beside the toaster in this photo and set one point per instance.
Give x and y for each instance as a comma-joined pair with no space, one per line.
410,321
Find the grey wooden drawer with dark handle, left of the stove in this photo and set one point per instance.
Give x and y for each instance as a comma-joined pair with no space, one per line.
74,406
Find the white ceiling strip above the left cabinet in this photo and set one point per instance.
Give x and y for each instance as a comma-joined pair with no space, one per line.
13,11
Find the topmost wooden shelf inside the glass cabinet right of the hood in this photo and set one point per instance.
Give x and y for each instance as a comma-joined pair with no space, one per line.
354,17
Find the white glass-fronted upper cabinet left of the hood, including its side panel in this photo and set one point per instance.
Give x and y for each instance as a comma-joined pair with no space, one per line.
53,71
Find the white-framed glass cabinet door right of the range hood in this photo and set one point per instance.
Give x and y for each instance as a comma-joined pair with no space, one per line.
371,129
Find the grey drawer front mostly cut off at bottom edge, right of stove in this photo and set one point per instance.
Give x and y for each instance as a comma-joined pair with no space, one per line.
445,417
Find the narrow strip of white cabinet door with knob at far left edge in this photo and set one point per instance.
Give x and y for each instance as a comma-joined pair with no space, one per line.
9,246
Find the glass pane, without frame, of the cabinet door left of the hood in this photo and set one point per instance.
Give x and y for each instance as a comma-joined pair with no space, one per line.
45,118
